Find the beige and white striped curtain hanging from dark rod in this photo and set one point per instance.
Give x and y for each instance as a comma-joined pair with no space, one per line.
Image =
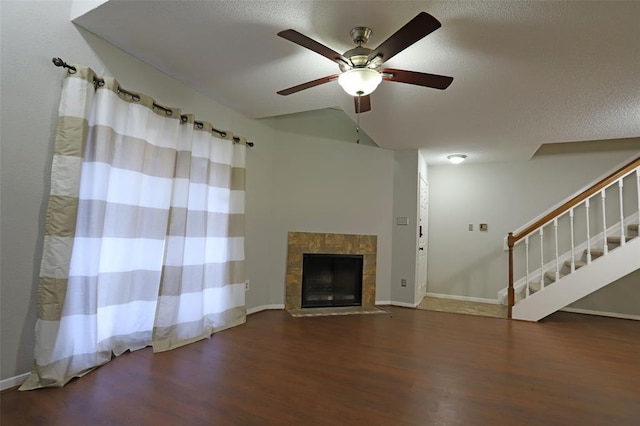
144,236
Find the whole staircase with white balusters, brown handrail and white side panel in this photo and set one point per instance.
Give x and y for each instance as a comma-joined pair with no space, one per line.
564,271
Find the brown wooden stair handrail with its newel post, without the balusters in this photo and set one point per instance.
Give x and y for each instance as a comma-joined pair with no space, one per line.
594,189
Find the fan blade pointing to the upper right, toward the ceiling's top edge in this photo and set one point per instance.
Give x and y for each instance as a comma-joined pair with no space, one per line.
420,26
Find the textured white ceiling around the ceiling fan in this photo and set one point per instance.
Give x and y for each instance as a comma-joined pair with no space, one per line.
525,73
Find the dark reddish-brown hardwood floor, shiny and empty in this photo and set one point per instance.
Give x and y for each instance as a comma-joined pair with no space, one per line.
410,367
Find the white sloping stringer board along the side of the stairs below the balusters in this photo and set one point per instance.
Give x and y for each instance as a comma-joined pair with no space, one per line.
598,274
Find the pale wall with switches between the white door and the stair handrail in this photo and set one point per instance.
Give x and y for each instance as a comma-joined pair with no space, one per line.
506,196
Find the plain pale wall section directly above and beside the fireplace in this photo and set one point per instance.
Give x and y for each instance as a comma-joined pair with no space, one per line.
329,186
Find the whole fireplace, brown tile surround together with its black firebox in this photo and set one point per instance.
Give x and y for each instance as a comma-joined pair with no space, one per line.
303,244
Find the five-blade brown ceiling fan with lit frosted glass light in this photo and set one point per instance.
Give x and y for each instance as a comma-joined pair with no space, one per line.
361,66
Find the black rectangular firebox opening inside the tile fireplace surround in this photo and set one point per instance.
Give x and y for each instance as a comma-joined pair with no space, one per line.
331,280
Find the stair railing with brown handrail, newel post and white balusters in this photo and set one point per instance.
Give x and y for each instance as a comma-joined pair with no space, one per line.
585,197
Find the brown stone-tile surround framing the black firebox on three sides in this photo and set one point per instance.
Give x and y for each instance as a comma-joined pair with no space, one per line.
306,242
